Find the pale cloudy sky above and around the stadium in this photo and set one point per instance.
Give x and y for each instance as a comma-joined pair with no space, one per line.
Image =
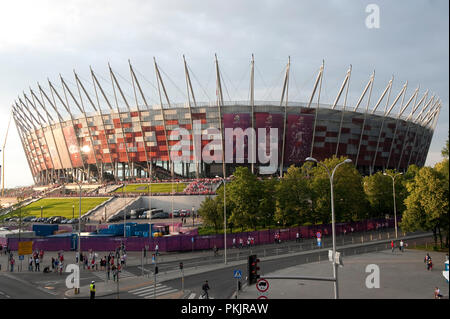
42,39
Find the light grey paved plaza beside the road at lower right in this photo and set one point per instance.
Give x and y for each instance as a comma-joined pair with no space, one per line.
402,276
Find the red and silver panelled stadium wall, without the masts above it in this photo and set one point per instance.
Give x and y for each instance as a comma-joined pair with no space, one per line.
128,139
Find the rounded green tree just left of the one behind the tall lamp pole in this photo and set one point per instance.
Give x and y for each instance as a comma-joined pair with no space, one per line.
293,195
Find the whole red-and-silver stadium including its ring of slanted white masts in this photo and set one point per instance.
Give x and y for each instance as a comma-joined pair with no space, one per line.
112,142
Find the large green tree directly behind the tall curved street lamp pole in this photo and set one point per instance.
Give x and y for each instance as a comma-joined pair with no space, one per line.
349,199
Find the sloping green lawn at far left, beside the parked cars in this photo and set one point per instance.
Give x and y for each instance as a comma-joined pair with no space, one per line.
59,207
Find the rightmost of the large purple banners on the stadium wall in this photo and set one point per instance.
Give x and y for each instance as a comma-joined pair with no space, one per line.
298,138
